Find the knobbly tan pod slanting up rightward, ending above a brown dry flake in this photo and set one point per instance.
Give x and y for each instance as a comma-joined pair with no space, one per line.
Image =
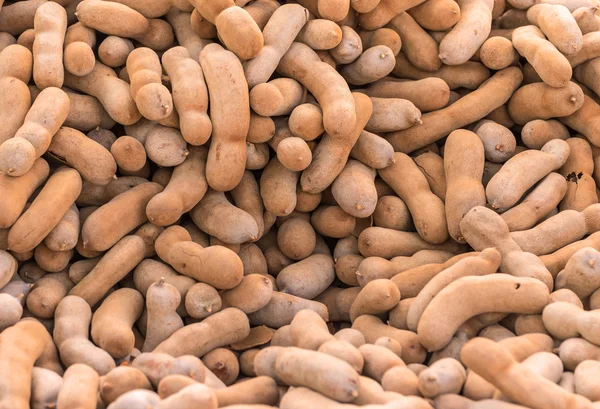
222,328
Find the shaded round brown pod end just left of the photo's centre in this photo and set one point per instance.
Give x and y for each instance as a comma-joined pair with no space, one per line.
296,238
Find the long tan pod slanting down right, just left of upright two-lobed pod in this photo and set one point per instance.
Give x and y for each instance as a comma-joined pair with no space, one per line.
416,195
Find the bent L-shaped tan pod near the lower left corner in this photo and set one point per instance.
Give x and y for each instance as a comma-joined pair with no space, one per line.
71,335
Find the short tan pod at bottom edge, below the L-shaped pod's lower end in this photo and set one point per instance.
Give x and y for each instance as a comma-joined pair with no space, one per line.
121,380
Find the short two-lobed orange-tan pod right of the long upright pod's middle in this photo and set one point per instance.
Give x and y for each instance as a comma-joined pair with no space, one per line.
277,97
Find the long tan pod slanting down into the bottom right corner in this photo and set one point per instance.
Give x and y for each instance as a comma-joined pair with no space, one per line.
513,379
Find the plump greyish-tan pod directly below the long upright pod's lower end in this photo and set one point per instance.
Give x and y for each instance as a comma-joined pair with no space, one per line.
212,213
